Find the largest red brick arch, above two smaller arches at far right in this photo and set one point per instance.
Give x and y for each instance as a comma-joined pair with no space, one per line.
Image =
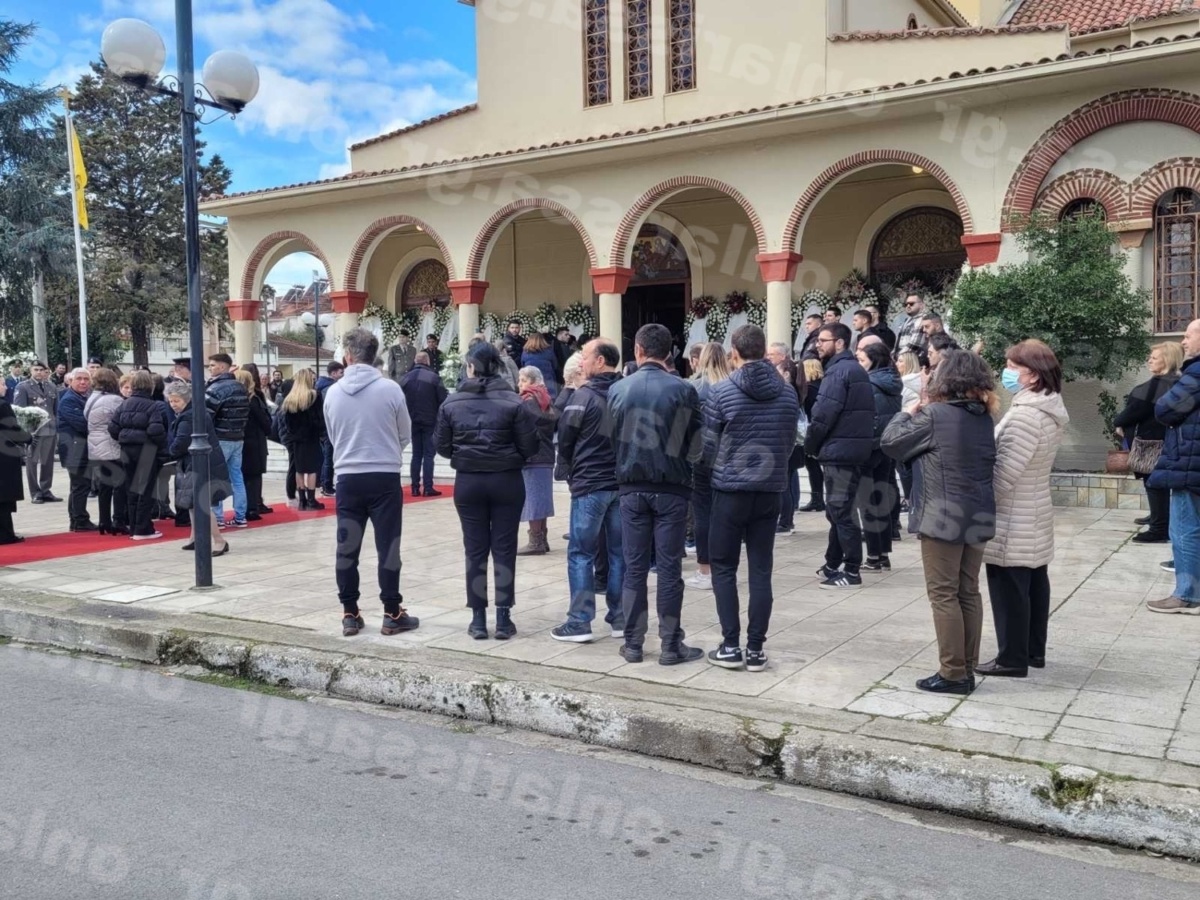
1142,105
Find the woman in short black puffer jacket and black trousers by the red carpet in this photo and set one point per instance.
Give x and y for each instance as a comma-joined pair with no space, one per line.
140,427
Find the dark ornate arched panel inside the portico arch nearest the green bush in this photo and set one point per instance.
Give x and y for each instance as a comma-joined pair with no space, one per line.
922,244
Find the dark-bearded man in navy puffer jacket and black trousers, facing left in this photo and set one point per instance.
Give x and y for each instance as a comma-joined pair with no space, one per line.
842,435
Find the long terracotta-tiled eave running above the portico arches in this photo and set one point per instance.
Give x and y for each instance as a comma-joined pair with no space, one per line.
721,117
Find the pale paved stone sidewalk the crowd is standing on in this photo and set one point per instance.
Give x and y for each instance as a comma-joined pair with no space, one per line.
1119,695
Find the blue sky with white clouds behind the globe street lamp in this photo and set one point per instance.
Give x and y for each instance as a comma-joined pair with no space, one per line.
333,71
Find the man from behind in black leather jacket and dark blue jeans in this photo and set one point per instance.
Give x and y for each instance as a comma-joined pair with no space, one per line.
656,421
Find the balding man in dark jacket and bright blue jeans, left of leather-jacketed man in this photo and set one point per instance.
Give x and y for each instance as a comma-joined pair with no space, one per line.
585,448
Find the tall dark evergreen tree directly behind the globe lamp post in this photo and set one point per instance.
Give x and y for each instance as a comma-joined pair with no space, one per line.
133,149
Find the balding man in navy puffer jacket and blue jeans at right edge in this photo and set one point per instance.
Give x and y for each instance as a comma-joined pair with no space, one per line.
1179,470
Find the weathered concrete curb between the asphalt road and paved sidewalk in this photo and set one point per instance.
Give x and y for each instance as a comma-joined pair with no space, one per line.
1070,801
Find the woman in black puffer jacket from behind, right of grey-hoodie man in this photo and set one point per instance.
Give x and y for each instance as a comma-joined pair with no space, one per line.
488,434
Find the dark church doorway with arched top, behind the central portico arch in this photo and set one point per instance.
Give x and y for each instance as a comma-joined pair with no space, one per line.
662,285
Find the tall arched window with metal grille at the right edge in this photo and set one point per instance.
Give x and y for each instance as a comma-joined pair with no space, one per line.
1177,261
